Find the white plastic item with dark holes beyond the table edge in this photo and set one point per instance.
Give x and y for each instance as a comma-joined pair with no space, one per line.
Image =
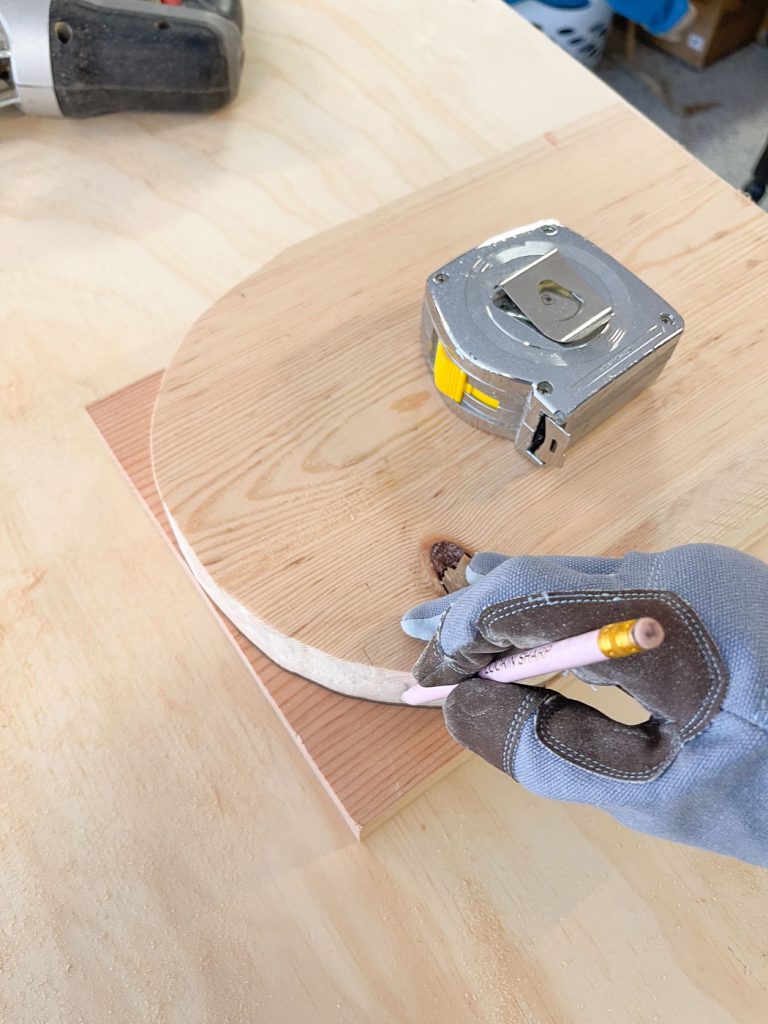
580,28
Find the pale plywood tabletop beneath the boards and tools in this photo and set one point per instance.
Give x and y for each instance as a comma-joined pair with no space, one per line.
166,856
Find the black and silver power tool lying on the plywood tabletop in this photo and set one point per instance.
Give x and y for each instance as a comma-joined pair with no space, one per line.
81,58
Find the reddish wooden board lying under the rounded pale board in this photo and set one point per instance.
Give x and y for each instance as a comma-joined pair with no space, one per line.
371,758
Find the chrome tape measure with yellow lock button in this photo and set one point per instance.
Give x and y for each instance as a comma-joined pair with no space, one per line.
538,335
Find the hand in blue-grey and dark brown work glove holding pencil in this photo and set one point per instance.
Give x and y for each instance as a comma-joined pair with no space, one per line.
698,771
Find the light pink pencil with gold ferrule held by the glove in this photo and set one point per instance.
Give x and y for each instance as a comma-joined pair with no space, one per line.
614,641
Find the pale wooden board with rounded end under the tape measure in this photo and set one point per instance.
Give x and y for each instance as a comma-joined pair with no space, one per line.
308,464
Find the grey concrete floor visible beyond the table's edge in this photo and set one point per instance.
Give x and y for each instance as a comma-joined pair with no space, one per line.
728,139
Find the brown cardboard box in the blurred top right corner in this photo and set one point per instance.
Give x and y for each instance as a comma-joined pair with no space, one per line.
720,28
